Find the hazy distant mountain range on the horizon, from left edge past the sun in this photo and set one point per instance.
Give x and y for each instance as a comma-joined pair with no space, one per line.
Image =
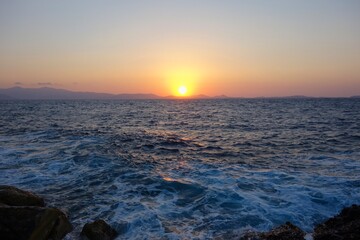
54,93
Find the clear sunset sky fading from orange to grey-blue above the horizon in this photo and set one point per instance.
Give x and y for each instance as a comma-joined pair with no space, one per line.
238,48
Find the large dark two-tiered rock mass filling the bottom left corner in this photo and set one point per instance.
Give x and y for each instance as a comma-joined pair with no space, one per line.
23,216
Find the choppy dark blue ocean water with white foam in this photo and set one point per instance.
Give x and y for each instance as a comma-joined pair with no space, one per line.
185,169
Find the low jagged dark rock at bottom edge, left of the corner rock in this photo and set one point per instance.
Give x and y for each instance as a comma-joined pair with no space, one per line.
287,231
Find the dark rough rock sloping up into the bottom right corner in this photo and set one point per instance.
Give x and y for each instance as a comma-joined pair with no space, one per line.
345,225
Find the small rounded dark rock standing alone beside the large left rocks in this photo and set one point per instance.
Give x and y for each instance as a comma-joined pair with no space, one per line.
98,230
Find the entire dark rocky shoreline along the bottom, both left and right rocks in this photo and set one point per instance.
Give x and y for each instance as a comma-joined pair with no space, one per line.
23,215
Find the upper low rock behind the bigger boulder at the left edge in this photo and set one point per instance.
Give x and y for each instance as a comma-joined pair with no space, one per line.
13,196
